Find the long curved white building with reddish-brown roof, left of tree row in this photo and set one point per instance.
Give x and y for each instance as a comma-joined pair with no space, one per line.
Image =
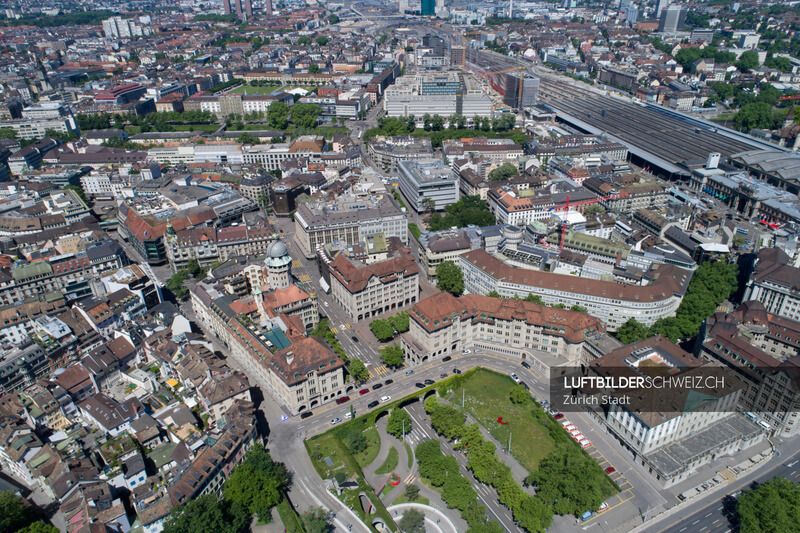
613,303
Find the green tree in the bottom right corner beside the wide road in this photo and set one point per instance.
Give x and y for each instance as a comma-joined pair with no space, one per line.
771,506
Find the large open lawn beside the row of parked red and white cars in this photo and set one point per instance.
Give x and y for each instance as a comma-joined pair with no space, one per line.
486,397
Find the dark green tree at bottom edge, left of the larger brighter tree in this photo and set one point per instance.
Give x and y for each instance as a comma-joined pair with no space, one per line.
207,513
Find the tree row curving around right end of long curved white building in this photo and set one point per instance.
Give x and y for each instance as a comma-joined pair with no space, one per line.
711,284
